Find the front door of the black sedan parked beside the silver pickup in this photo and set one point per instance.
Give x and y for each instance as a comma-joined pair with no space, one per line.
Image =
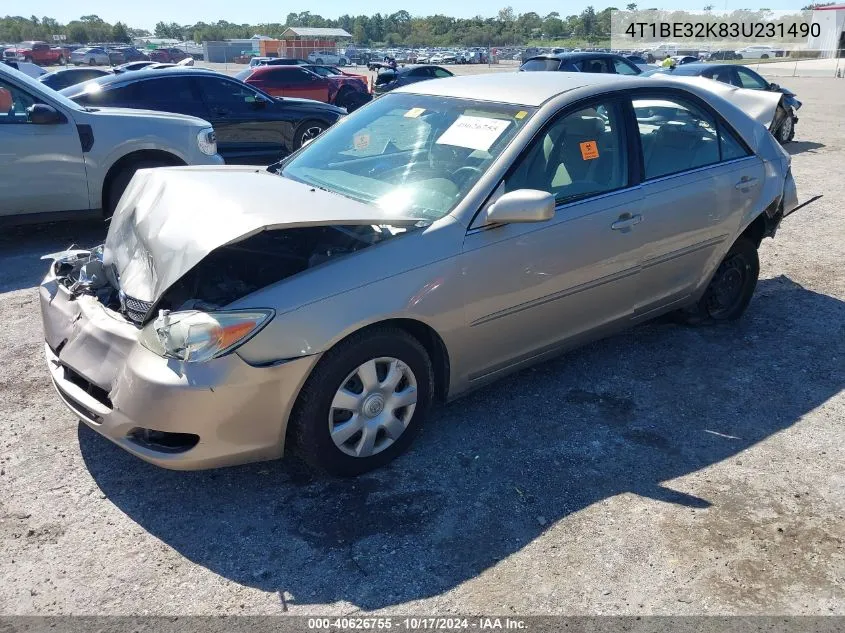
250,131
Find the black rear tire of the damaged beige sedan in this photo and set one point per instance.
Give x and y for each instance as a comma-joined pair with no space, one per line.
730,290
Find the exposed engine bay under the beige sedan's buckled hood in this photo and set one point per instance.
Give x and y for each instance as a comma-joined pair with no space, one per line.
227,274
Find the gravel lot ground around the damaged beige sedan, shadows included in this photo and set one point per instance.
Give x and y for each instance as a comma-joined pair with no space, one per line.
666,470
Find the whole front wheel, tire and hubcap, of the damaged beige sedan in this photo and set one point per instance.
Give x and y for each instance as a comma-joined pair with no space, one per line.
314,416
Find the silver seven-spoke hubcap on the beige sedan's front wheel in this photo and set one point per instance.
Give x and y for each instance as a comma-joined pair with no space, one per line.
373,407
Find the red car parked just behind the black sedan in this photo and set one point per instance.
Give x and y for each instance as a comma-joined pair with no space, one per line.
346,91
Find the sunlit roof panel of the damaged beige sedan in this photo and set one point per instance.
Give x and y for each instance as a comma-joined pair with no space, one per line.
531,89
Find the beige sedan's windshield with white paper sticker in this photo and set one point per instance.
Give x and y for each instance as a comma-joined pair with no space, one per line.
413,155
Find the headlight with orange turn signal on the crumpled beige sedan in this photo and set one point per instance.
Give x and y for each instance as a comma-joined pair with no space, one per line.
195,336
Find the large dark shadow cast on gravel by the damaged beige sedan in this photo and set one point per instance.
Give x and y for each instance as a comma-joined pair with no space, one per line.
495,469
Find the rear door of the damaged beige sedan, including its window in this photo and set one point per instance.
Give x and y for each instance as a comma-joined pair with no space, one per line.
699,180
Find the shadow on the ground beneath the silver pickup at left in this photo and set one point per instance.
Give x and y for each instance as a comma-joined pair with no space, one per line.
21,248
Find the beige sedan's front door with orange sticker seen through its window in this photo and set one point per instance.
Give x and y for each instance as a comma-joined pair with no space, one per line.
532,287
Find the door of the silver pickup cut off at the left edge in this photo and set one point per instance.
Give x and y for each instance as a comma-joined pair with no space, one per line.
41,166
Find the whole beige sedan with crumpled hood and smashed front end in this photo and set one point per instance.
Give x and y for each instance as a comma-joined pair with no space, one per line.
436,240
